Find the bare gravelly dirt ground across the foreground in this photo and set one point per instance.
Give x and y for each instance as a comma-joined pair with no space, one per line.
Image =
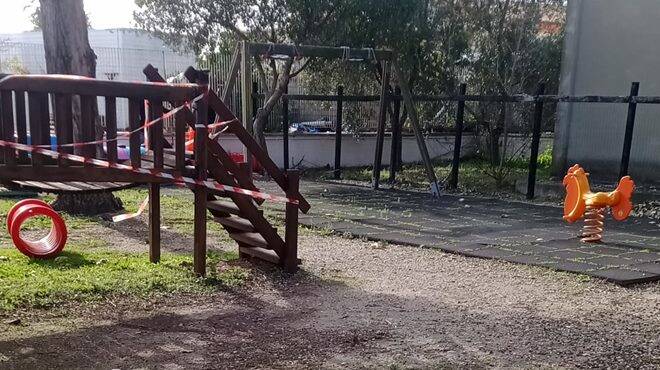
355,304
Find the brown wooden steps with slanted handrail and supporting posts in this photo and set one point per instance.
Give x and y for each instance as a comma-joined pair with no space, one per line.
239,214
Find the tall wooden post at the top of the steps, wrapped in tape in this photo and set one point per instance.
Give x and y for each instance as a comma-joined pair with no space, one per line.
201,136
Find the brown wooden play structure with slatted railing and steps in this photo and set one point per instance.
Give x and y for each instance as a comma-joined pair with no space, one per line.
30,102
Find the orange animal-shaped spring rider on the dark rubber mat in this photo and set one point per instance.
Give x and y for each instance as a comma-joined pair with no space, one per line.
581,202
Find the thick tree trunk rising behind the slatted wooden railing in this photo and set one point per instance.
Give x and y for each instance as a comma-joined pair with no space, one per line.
66,45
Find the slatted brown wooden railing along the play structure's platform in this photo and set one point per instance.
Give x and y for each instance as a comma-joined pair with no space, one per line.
28,103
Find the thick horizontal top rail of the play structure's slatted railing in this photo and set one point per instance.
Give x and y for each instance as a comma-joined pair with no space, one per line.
68,84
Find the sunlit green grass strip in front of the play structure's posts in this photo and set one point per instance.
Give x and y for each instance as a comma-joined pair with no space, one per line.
82,274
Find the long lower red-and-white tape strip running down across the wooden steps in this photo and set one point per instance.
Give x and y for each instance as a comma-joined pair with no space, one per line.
186,181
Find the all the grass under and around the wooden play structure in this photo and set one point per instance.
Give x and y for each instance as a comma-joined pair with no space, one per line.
90,270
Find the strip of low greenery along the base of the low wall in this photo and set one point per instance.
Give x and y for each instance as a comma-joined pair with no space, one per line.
475,175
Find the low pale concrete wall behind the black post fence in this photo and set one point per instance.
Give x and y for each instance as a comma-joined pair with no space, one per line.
318,150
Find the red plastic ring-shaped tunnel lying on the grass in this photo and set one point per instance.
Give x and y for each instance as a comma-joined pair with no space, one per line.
47,247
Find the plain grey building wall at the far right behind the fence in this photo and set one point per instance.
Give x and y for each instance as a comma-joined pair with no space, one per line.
609,44
